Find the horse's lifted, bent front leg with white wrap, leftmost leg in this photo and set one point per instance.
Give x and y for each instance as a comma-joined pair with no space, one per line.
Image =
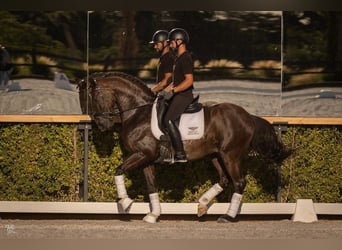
134,160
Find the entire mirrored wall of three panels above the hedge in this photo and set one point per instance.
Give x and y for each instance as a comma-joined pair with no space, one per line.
238,57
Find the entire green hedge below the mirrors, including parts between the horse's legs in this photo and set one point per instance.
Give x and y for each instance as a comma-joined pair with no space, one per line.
44,162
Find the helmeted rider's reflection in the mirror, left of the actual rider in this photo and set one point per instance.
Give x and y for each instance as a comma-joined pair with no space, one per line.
165,64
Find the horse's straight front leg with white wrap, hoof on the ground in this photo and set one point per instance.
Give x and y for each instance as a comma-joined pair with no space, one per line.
155,207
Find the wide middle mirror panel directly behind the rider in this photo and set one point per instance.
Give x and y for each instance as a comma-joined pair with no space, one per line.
237,54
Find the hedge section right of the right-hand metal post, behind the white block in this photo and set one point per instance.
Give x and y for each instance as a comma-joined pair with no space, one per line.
315,170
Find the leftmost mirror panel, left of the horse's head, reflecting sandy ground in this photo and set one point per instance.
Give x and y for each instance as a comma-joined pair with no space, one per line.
47,54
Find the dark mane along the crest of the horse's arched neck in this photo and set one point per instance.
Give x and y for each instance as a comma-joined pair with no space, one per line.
135,80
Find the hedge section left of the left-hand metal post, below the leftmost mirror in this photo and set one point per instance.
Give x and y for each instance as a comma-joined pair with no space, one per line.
39,162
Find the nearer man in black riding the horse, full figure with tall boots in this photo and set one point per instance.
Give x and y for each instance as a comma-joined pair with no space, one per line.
180,91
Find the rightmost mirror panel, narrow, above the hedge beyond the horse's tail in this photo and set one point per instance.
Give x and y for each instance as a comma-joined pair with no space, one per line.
312,84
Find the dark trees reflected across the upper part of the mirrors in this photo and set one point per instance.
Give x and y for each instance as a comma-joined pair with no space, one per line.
120,39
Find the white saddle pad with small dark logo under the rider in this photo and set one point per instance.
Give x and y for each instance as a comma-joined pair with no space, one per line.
191,126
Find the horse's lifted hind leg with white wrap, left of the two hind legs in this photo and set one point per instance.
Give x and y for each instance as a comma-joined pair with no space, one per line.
205,199
